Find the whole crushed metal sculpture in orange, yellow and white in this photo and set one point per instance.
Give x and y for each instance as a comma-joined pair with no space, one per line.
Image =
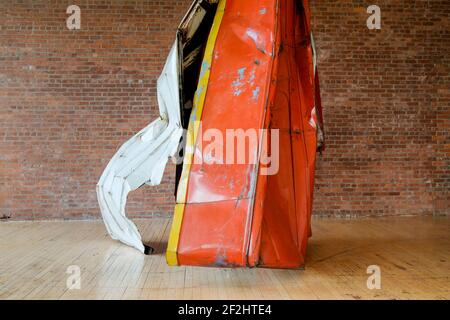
242,67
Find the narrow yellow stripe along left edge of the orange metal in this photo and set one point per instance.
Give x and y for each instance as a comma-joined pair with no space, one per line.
194,124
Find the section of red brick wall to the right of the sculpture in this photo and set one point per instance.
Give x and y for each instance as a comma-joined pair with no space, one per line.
386,99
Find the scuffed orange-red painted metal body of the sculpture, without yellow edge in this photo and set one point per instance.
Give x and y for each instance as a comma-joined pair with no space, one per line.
262,76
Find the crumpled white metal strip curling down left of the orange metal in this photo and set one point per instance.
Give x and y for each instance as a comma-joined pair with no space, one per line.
143,158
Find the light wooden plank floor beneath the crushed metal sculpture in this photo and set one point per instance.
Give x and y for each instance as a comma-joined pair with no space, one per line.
413,254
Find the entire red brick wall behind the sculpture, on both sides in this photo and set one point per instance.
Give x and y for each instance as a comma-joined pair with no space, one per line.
68,99
